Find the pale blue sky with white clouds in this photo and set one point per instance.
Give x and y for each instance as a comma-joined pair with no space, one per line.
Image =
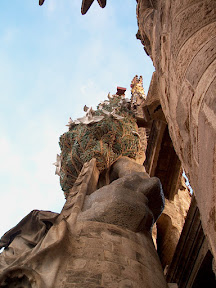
53,61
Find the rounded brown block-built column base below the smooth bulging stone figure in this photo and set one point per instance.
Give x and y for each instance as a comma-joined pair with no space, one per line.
104,255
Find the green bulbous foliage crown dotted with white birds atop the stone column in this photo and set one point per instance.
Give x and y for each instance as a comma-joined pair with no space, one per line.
105,134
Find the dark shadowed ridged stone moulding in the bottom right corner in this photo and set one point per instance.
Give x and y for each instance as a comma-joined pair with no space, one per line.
192,262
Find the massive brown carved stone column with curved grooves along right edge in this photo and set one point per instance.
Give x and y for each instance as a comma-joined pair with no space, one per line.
180,38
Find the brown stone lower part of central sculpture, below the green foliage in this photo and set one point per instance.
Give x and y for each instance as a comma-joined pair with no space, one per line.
84,248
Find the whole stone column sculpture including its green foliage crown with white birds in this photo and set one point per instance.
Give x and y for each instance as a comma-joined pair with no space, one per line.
102,237
